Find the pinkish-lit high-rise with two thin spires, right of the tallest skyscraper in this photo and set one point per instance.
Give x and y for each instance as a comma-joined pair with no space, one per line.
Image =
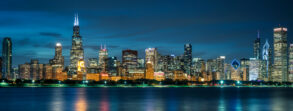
103,56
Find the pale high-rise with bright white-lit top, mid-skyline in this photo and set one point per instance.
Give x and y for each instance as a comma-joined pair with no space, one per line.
151,56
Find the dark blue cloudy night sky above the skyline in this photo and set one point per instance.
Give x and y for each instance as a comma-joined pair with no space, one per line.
213,27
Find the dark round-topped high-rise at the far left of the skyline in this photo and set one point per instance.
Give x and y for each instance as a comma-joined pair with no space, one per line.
7,58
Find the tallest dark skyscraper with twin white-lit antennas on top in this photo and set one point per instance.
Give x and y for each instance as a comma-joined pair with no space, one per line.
76,52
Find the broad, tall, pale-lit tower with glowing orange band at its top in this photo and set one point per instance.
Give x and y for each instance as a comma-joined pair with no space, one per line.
280,73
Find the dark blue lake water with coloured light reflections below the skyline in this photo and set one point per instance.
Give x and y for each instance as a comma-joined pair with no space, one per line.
146,99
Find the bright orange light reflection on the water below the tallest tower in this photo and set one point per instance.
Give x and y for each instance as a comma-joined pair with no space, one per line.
81,103
